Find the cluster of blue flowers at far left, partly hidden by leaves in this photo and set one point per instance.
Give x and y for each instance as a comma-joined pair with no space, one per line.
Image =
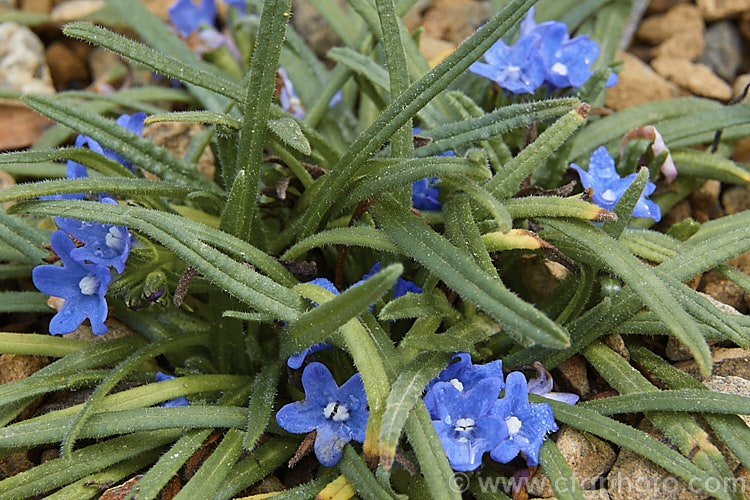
84,277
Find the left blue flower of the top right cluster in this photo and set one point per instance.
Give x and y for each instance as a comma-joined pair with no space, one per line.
518,68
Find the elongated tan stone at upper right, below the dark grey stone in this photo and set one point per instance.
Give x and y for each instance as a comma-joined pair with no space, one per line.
695,77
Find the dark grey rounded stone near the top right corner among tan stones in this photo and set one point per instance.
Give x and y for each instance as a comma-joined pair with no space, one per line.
722,49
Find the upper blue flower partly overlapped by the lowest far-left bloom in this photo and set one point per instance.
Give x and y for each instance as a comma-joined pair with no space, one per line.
103,244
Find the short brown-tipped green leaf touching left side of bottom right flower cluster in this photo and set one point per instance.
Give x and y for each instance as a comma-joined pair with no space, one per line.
405,393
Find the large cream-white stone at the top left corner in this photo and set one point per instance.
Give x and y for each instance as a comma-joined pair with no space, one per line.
22,64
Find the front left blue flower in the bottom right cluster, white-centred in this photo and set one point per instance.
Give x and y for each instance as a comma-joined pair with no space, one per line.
464,425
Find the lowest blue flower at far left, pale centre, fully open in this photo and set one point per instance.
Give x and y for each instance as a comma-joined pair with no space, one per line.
82,286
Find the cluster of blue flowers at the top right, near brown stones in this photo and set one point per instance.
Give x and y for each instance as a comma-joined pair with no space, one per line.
544,54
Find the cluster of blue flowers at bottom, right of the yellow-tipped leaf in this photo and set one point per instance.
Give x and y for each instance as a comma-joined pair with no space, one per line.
470,419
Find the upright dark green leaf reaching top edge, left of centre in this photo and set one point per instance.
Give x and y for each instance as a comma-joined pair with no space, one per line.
255,114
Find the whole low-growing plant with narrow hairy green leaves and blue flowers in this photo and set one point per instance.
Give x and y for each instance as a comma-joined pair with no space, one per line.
331,282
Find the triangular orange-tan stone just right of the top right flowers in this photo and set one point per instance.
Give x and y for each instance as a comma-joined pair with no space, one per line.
638,84
